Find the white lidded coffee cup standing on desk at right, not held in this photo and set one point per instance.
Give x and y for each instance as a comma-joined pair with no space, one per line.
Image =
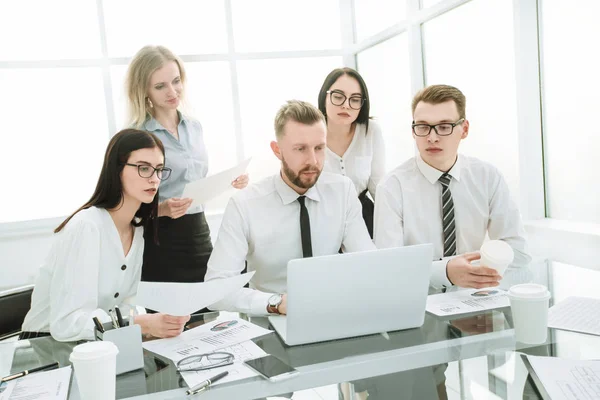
529,305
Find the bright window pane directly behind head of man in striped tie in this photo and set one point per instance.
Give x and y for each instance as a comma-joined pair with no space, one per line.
478,58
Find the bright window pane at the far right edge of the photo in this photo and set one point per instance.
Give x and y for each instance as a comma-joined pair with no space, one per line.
570,93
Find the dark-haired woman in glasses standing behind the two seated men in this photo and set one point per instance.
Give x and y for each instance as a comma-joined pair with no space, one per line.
355,146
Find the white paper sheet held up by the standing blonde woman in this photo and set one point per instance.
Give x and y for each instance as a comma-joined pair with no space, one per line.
212,186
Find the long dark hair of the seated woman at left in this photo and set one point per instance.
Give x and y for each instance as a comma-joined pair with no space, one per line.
109,189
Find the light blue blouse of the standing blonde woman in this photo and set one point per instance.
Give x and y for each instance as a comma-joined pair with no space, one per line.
187,157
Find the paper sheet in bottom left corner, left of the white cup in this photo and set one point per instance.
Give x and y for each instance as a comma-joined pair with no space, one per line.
47,385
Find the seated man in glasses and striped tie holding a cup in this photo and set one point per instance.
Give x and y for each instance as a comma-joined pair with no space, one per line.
412,208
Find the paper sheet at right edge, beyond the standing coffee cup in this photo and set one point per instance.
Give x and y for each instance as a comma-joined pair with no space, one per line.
576,314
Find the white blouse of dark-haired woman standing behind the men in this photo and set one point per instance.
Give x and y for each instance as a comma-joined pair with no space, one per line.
364,159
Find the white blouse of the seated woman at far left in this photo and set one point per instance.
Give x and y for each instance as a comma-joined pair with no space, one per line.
84,275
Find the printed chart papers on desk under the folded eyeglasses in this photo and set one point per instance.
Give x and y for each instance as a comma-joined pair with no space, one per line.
231,335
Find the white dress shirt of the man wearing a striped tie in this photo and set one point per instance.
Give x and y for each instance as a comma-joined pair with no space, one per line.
408,211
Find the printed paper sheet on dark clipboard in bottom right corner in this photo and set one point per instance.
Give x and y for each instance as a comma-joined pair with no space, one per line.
568,379
